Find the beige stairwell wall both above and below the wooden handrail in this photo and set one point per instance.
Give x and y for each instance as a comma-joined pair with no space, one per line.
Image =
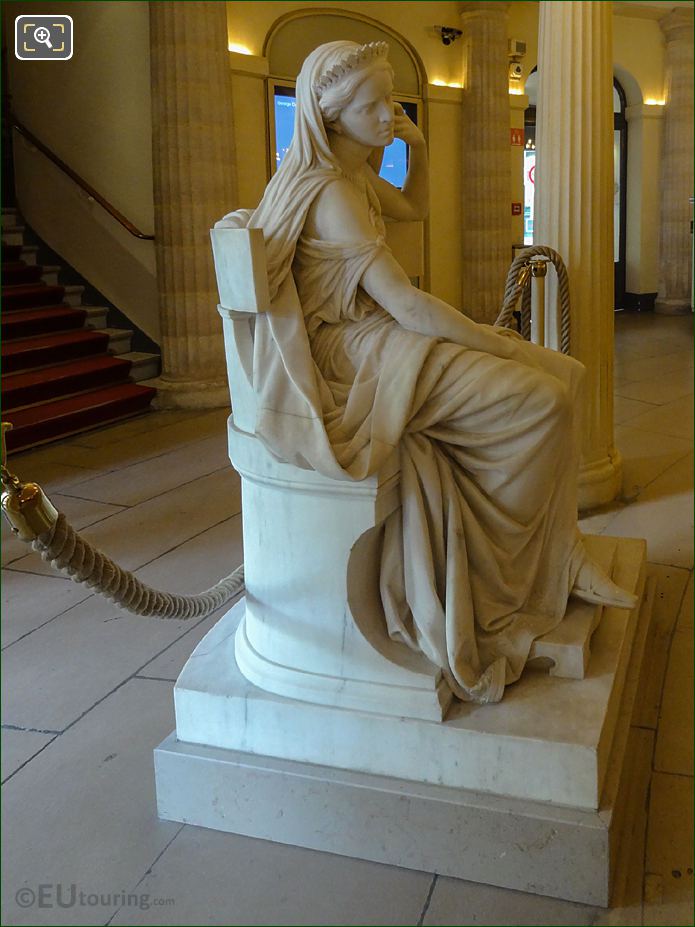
94,112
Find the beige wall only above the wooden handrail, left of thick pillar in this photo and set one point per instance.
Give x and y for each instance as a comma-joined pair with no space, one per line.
94,110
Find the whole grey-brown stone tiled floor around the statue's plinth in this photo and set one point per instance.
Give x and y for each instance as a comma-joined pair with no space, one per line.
87,691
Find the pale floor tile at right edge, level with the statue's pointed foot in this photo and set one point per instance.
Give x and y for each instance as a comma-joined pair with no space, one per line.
663,514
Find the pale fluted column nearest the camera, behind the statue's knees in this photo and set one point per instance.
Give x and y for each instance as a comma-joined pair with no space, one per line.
574,208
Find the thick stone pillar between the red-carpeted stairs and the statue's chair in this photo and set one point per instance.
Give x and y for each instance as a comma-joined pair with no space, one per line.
194,185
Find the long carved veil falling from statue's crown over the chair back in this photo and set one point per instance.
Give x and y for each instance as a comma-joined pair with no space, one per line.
294,403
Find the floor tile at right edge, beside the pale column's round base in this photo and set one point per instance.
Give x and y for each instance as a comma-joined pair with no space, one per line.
646,456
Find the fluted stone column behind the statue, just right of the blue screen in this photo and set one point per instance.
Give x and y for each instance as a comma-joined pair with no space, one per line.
486,176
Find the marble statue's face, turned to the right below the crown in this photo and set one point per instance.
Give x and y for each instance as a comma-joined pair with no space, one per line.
368,117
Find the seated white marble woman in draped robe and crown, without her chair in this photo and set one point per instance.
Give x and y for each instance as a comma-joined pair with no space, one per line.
484,551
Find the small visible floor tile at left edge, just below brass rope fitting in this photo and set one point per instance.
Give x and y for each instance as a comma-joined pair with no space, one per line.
28,601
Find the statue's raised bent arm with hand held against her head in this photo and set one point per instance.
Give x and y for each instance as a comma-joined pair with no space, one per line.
412,202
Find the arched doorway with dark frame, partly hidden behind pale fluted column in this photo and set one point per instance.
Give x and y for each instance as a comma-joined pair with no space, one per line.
619,177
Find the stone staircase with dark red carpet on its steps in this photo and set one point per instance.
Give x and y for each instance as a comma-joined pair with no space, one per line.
63,370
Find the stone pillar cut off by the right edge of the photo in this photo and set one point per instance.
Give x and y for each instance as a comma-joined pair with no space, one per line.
675,267
